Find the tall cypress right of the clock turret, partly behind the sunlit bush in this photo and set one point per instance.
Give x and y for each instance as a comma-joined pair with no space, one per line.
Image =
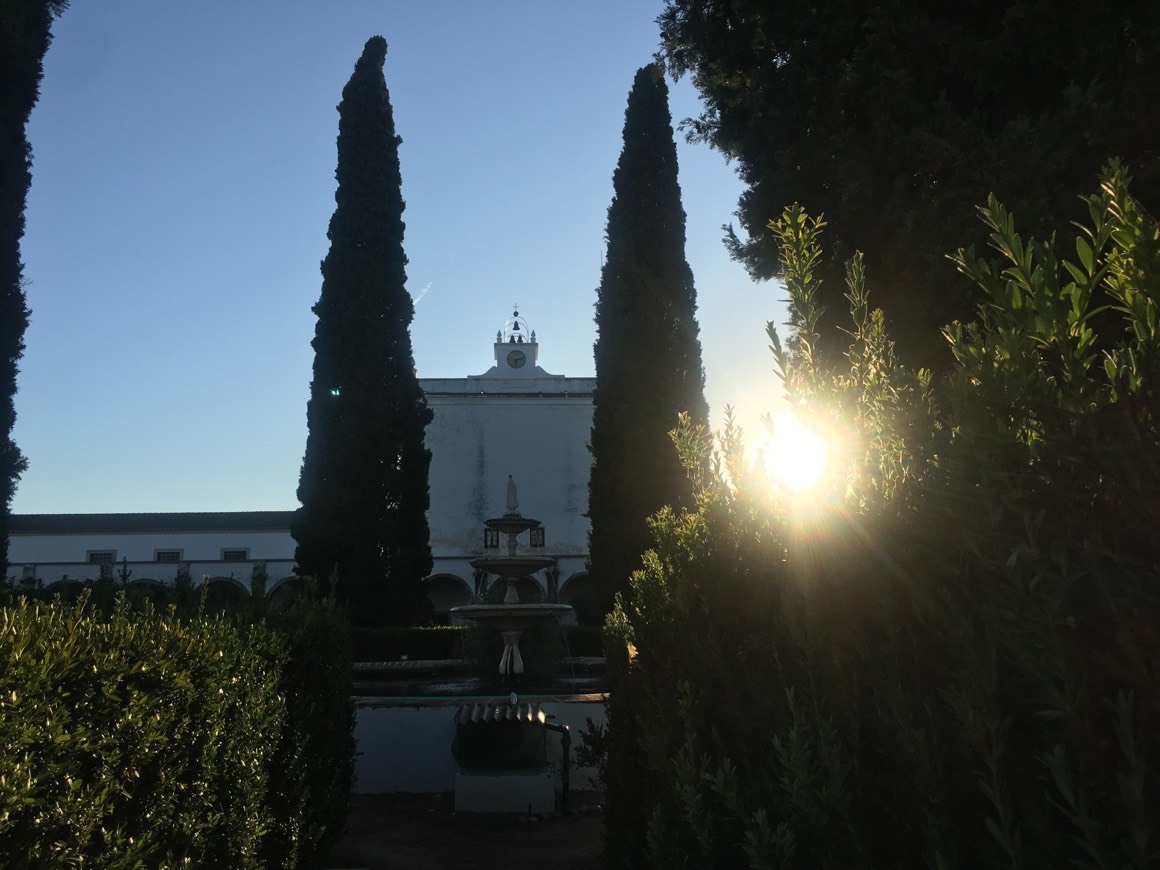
648,353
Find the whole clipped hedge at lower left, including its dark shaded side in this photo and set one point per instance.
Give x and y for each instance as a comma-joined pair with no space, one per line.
134,736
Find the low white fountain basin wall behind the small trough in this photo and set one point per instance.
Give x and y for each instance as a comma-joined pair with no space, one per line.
405,745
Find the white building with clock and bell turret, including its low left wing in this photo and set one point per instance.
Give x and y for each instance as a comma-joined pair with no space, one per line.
514,419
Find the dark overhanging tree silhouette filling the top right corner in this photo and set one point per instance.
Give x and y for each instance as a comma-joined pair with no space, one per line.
896,120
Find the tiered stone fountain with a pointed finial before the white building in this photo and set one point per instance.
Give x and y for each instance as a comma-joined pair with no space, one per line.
512,618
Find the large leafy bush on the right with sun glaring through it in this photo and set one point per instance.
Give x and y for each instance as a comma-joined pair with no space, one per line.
948,657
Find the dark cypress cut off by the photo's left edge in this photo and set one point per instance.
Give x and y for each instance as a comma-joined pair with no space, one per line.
25,38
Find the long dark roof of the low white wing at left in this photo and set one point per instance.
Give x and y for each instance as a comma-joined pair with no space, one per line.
208,521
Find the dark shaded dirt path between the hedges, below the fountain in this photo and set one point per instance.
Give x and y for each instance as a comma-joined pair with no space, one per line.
423,832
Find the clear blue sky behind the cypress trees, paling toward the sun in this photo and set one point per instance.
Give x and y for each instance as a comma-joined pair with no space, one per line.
183,185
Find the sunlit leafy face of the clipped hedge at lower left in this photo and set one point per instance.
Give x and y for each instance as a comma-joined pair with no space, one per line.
136,739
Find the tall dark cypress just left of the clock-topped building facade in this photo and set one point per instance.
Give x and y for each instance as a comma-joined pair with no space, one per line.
364,487
